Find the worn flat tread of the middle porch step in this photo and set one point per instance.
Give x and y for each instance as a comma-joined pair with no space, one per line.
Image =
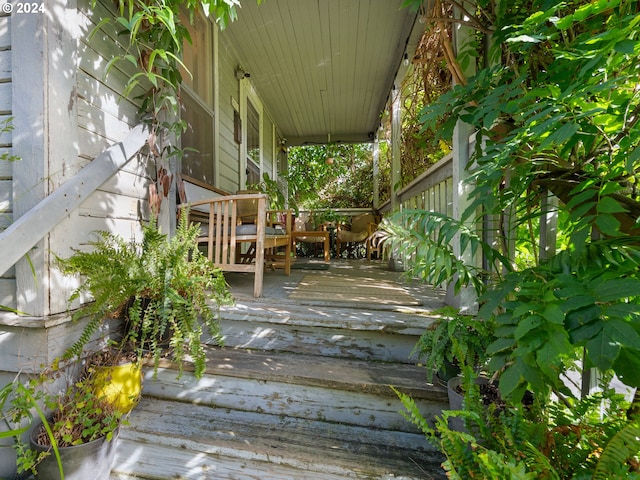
332,372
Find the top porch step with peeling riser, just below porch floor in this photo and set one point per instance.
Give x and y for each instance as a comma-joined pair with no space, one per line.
381,334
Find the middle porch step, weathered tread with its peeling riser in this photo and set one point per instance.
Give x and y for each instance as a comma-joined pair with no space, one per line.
352,392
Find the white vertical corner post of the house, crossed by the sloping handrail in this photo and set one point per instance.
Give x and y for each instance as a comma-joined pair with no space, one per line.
44,69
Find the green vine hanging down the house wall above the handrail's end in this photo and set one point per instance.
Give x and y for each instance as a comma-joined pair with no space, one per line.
156,36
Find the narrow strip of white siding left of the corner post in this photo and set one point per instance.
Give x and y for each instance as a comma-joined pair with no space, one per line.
7,280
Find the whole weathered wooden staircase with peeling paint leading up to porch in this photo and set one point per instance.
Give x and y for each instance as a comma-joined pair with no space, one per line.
300,391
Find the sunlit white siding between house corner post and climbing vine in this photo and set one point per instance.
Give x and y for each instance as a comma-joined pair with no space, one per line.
103,118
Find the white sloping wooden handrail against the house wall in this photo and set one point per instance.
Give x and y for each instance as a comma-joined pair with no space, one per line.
24,233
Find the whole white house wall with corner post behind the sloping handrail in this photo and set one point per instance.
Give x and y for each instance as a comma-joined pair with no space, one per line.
65,114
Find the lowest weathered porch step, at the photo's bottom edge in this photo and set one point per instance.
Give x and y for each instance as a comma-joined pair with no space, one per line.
170,439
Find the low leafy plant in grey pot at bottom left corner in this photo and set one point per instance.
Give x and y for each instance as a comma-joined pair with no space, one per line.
76,440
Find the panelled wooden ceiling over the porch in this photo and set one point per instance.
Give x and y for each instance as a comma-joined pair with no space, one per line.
323,68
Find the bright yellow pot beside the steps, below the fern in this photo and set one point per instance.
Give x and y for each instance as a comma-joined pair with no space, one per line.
120,384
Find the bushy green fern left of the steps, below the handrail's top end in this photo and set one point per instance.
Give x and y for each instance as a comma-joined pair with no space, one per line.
165,289
